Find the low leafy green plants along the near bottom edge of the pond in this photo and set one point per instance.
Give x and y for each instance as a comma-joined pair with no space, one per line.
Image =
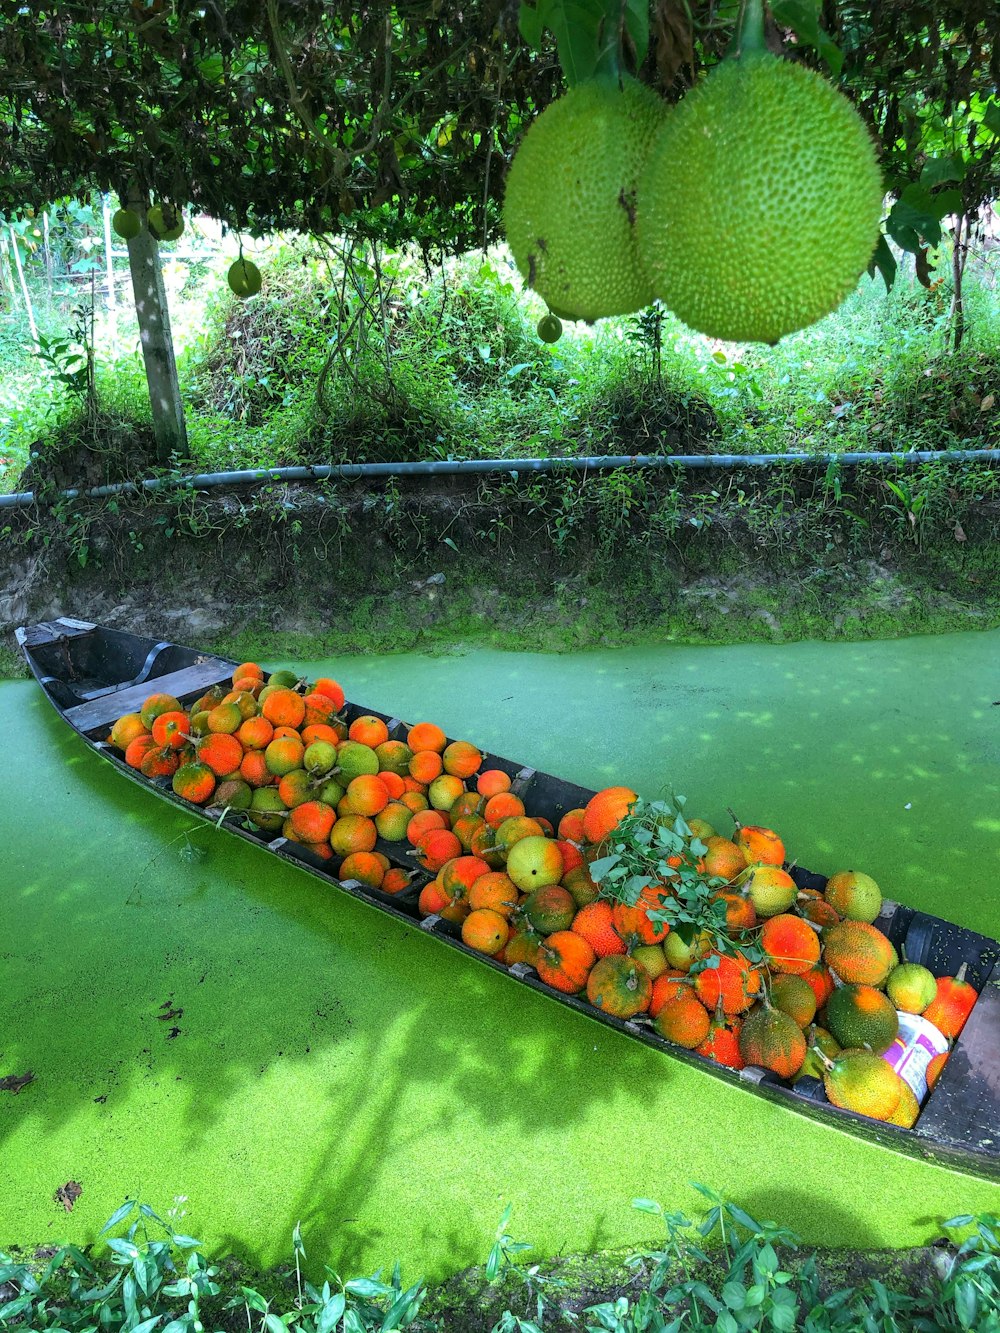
727,1274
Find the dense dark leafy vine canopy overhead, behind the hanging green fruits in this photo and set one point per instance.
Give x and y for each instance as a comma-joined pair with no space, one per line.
397,121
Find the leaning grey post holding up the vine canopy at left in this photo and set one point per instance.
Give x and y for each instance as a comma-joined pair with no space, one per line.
158,347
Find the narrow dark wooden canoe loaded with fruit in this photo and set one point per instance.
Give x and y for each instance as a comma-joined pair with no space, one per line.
94,675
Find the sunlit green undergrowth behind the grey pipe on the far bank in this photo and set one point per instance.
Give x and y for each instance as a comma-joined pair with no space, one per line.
353,358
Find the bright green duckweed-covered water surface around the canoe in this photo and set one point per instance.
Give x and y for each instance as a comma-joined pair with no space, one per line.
233,1034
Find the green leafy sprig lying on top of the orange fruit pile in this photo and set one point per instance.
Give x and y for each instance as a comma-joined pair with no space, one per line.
655,846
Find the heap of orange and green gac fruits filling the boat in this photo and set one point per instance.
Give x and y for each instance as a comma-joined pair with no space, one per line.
521,891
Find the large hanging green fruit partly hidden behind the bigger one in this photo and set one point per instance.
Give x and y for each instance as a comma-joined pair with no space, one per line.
570,199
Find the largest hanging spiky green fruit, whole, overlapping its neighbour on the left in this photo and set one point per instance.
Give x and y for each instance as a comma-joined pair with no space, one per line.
761,203
